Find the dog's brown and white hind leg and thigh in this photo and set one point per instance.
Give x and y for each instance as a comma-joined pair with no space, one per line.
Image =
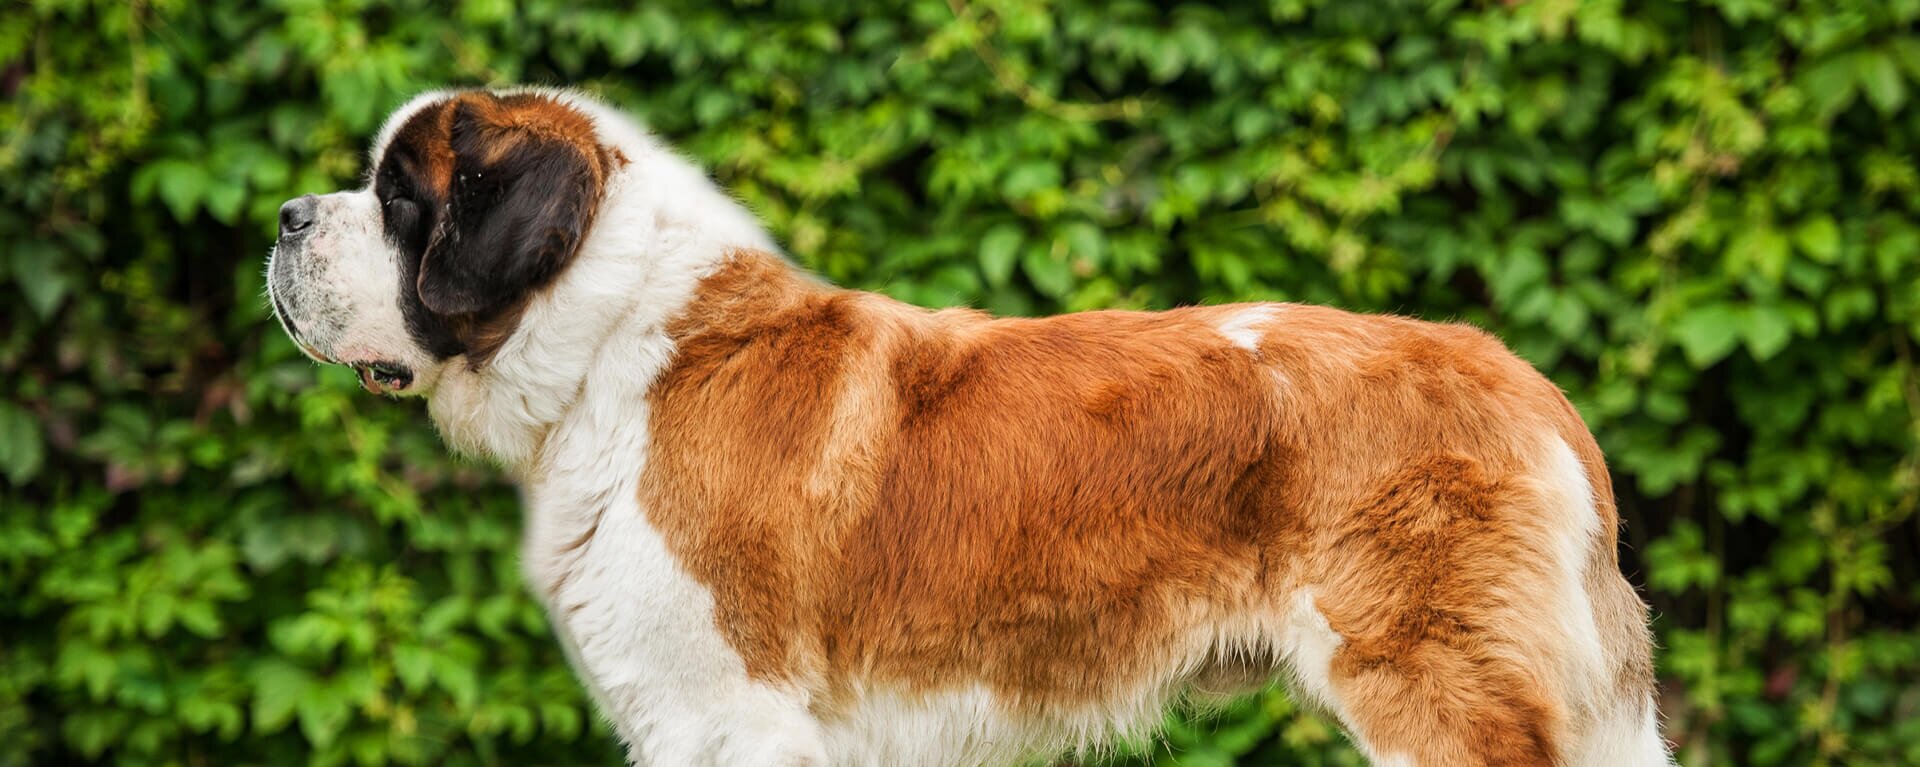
1476,616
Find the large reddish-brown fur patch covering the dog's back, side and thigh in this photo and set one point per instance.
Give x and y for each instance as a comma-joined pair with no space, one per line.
1057,508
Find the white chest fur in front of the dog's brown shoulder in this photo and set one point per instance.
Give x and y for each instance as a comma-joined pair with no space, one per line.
636,626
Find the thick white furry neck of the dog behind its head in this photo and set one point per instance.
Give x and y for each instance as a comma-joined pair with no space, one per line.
661,230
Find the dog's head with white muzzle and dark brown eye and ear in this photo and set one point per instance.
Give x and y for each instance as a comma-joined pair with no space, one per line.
473,205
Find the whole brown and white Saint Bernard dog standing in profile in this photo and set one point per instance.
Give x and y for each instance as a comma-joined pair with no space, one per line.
786,524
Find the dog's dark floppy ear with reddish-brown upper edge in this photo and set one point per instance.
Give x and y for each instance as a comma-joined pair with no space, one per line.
521,197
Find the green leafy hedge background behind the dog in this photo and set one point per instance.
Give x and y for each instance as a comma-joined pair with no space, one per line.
1700,218
